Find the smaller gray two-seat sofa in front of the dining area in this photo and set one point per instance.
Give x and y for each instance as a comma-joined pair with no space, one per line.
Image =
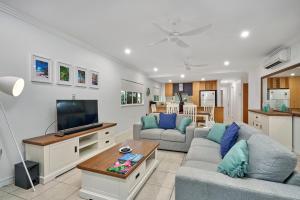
170,139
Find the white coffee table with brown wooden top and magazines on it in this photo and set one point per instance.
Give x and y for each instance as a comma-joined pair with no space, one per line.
100,184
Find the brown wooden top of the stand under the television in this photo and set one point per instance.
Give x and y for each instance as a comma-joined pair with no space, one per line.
51,138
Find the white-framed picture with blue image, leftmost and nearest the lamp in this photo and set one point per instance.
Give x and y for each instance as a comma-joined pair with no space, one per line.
41,69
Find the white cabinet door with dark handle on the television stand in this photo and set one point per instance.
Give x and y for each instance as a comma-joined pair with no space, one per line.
63,153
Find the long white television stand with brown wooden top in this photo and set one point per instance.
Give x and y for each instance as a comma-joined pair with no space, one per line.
57,155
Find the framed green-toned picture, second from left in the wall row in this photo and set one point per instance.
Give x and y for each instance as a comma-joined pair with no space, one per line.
64,74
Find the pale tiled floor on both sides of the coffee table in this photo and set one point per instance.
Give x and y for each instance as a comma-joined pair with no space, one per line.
160,186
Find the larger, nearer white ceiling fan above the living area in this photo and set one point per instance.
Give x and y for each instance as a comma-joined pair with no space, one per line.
175,36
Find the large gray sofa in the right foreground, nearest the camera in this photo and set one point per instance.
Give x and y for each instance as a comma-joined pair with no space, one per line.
198,179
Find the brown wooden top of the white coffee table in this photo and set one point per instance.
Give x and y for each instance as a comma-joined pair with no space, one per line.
102,161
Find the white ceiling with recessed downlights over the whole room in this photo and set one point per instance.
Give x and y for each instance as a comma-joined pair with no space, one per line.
112,25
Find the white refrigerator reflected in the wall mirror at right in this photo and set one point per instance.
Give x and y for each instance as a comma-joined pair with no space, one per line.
278,97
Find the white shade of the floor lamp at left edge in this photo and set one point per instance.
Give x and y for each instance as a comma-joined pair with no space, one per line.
12,85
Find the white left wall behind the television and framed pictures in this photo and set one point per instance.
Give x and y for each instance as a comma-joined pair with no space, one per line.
34,110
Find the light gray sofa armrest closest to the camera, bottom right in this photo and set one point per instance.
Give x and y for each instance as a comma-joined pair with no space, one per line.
198,184
